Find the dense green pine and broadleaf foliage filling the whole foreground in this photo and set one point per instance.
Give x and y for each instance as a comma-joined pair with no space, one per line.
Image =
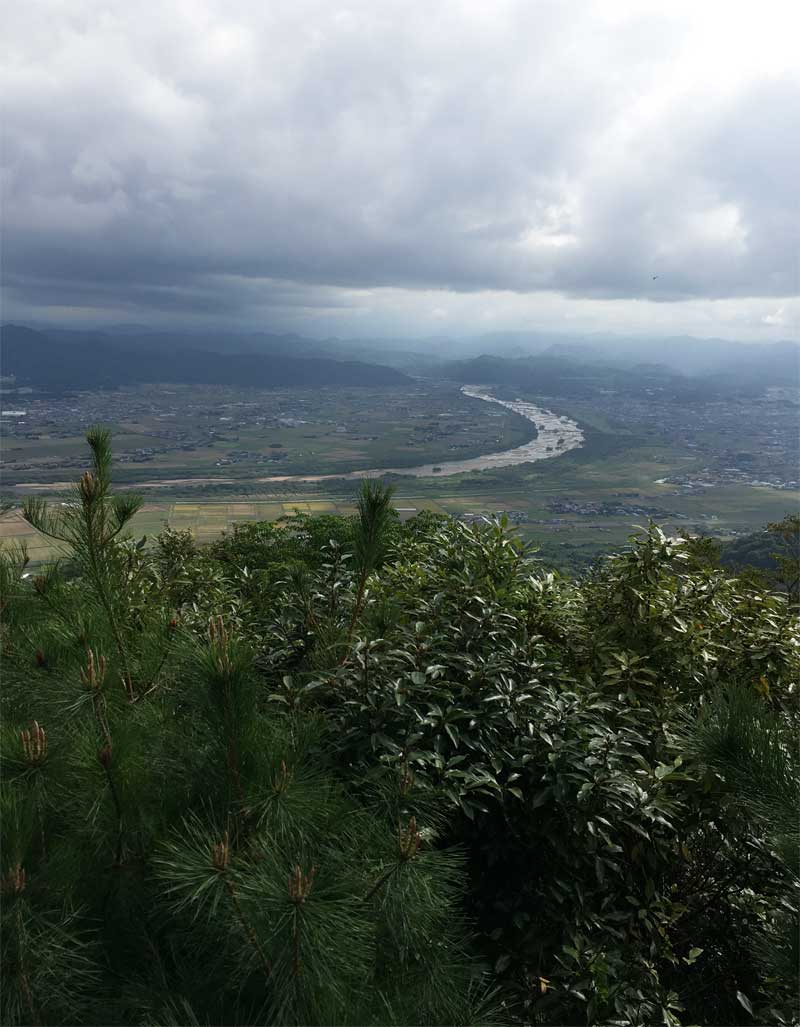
355,772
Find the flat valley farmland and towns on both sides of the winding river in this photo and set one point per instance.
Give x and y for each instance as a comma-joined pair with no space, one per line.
681,468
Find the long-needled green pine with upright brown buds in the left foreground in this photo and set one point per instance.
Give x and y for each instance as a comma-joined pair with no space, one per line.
219,867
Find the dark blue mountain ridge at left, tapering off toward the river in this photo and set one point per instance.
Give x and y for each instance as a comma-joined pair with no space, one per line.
93,360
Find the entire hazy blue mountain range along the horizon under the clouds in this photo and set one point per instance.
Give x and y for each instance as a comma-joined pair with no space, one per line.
549,363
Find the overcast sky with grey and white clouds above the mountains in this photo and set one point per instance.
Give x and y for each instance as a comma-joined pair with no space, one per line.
410,168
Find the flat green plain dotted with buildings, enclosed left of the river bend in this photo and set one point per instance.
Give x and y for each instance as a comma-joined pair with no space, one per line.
226,434
